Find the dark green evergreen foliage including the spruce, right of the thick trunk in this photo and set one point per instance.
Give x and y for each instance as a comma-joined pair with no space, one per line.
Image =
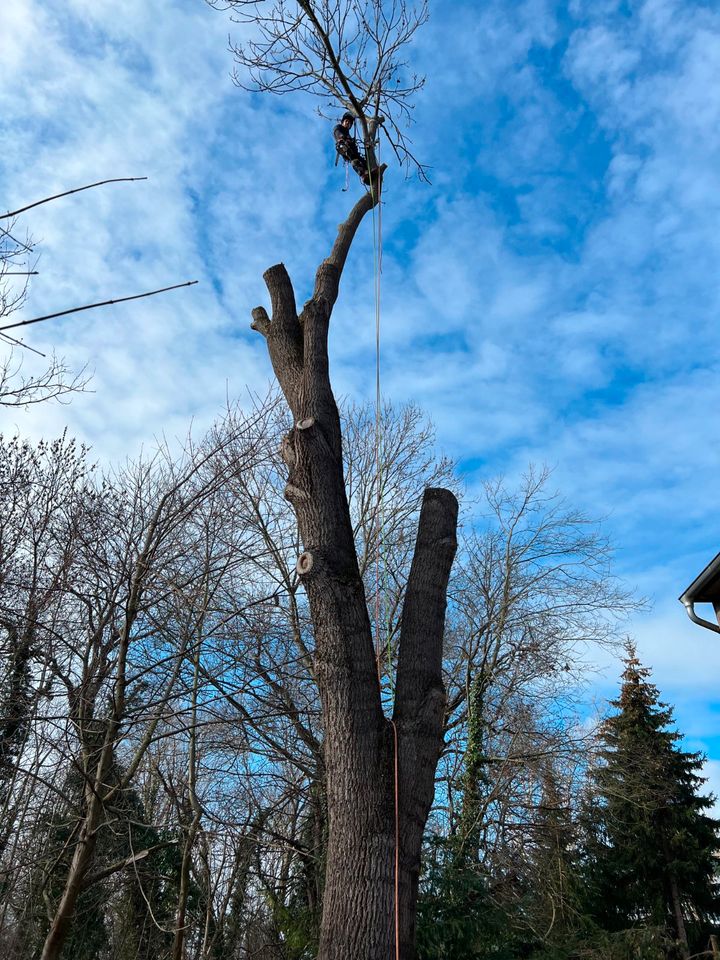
609,886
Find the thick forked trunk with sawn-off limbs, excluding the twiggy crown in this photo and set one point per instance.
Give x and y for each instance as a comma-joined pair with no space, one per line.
358,920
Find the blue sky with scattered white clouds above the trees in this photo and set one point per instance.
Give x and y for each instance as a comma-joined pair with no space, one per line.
552,296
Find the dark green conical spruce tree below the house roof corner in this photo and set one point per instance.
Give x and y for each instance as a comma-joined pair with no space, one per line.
652,849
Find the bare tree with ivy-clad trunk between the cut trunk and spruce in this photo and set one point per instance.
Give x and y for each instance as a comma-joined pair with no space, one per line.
534,594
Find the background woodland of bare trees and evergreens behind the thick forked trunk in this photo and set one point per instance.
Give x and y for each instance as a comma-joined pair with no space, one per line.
155,613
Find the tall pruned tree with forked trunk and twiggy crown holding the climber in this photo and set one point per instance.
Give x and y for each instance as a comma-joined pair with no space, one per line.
351,54
